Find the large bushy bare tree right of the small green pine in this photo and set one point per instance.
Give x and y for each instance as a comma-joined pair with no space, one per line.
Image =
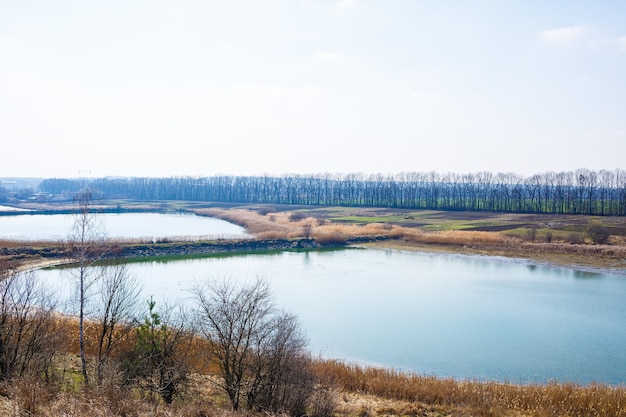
259,351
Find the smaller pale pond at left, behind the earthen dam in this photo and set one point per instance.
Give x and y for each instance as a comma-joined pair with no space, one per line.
124,225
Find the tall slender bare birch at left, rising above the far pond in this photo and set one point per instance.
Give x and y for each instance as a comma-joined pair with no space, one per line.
86,244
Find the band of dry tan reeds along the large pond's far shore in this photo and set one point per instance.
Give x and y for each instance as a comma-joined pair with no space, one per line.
559,248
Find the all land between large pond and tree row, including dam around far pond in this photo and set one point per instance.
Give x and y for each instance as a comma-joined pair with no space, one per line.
560,240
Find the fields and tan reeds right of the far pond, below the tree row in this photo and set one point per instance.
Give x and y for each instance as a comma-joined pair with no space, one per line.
560,240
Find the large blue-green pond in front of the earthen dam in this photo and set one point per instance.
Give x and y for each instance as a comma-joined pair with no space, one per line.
484,318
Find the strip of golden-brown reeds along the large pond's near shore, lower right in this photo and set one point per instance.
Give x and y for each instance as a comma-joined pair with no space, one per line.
479,398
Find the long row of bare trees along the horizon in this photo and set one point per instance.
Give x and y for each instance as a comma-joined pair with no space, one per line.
572,192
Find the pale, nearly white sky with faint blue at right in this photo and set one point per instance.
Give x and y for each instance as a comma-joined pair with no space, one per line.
201,88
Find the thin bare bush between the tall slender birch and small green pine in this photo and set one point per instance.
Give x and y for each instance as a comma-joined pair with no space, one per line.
118,291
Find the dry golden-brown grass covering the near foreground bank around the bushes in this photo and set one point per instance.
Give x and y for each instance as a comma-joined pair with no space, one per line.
362,392
